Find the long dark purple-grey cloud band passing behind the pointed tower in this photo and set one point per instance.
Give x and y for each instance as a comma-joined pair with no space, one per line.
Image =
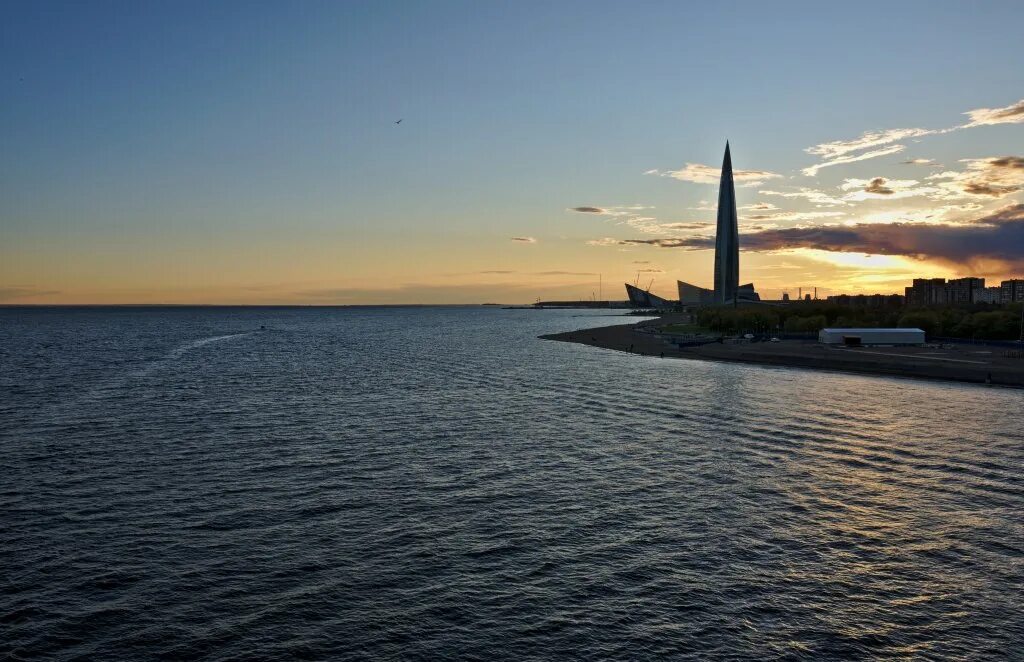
998,237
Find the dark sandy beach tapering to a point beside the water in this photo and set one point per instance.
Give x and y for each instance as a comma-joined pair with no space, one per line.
969,364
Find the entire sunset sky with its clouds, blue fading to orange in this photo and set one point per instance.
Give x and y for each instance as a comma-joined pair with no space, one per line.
248,152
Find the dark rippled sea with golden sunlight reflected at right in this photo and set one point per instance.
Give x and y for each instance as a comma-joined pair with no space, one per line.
438,483
